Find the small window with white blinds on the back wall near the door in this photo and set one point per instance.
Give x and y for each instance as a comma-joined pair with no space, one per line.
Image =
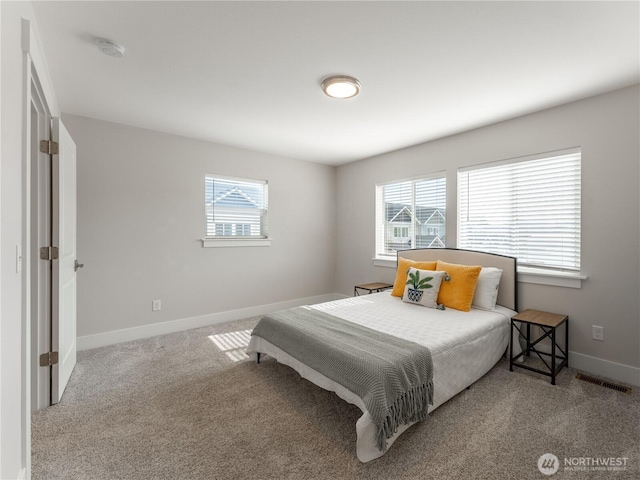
235,207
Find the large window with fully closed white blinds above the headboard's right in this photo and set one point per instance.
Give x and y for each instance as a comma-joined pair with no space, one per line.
527,208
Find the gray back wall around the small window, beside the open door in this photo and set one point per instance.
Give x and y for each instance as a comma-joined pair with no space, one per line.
141,218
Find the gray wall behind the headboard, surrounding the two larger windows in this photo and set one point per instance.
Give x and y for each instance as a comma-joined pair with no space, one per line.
606,127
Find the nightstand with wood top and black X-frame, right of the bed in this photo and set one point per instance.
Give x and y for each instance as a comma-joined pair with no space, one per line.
548,323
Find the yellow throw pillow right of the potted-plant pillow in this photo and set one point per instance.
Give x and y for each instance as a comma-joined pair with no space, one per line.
458,291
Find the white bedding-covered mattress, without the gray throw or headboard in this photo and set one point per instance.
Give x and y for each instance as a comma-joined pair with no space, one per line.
464,346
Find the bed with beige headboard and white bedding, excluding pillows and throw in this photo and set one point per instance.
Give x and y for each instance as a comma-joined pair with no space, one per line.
463,345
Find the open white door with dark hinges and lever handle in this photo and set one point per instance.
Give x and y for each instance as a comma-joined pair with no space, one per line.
63,323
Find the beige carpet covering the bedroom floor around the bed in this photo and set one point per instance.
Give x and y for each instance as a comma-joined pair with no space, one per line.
191,406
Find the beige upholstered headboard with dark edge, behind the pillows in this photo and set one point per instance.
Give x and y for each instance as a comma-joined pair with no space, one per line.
508,291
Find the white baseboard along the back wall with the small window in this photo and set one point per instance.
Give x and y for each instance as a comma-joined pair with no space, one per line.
125,335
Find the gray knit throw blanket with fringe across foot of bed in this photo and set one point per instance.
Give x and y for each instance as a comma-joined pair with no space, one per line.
392,376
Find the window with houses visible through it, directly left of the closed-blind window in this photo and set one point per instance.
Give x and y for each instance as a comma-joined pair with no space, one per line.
410,214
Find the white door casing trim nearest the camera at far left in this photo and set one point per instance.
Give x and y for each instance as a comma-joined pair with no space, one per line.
33,66
